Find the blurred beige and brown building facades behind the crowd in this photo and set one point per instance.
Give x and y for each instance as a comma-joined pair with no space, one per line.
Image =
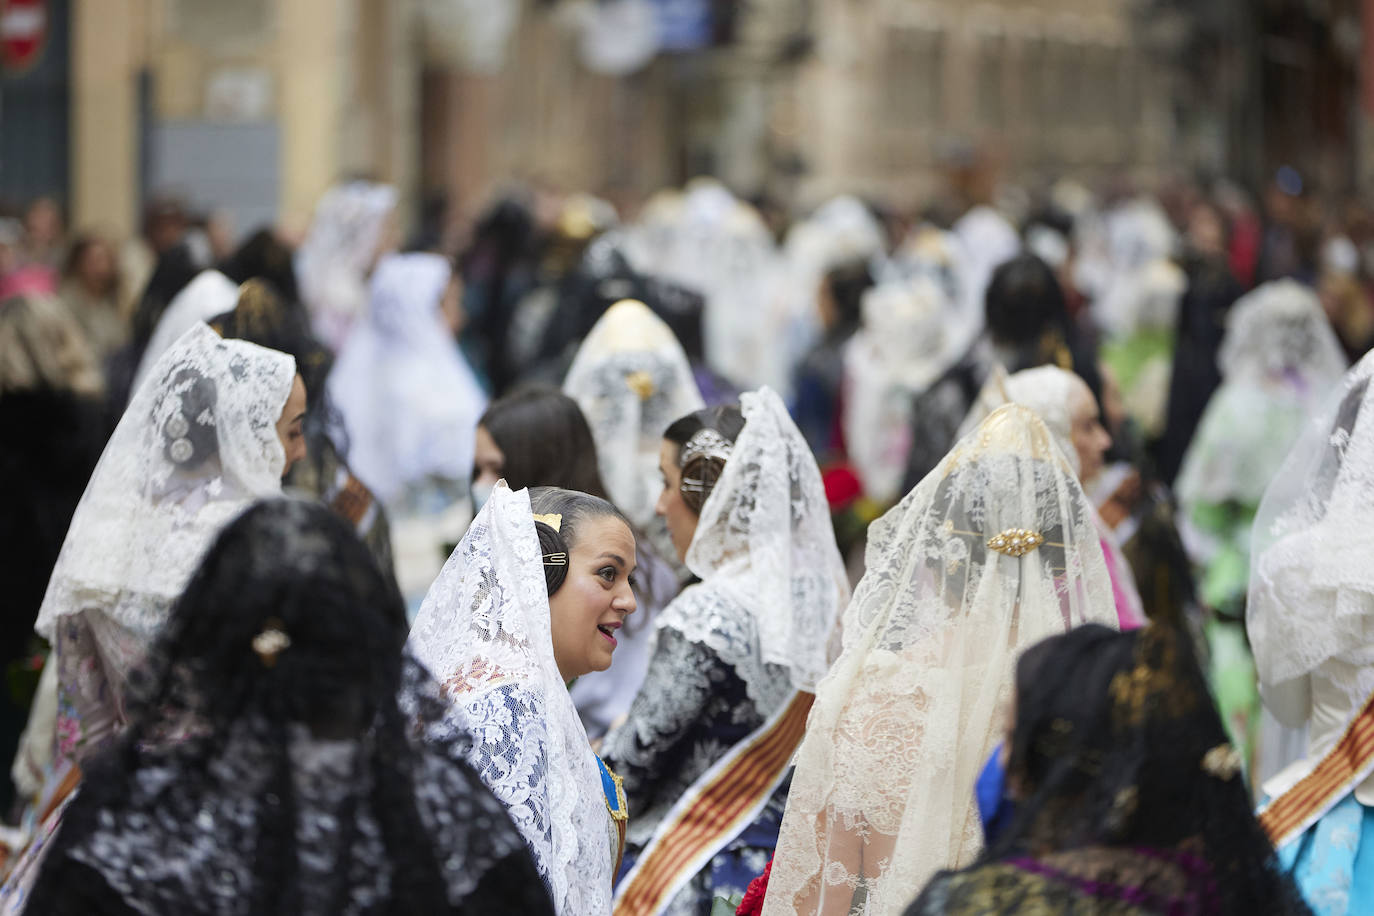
258,106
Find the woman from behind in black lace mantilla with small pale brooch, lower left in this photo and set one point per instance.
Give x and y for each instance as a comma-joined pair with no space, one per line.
270,768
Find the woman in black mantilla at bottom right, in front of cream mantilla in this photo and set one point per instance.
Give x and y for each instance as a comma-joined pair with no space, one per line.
1130,800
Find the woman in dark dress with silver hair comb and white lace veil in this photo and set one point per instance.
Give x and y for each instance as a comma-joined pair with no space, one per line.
747,510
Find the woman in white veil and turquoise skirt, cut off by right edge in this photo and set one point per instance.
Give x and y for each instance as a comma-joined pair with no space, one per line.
1310,621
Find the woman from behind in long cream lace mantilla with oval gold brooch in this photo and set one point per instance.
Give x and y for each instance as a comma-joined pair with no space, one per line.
991,553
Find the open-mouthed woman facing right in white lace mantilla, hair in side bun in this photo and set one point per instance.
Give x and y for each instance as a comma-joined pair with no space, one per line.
530,601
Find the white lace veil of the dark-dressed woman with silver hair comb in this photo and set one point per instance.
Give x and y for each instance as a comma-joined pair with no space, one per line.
766,553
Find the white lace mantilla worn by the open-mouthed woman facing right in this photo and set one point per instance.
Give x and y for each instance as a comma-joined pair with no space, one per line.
484,632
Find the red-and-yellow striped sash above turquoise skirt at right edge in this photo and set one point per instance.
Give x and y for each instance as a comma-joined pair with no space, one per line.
1344,767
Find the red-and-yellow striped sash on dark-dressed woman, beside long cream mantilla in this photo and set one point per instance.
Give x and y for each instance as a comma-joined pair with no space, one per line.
719,805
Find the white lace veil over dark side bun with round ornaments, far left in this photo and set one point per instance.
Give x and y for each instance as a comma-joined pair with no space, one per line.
197,444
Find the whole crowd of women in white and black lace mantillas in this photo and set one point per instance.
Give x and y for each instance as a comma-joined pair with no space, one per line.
696,565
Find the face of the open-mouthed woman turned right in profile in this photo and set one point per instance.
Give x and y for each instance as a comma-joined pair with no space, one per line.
590,608
